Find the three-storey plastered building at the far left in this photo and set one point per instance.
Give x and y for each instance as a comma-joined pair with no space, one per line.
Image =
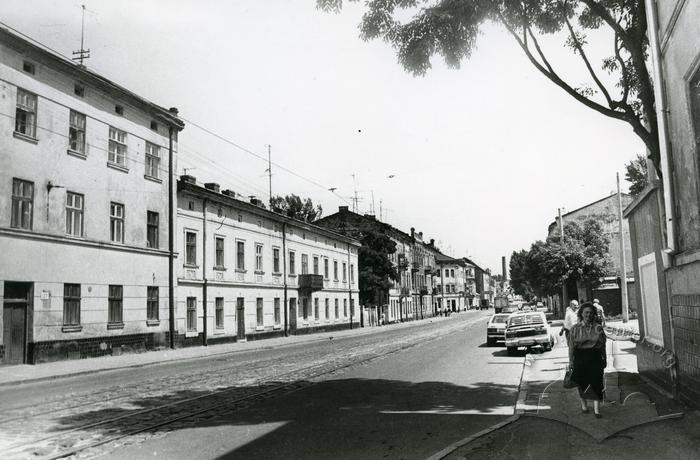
84,193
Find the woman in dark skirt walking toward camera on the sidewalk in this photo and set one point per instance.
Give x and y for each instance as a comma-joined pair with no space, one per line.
587,356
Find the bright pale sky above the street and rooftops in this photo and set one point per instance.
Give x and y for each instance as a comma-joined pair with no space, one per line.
479,158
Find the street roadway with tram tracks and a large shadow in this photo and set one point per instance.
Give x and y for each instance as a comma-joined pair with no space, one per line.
402,391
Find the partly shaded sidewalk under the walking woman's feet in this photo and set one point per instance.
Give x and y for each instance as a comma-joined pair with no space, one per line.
637,421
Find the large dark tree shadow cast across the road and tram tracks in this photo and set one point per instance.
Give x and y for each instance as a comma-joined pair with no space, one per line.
384,418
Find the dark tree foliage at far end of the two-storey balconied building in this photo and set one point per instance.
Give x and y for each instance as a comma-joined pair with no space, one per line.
375,269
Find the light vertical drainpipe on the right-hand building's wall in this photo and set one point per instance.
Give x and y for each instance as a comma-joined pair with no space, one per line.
661,114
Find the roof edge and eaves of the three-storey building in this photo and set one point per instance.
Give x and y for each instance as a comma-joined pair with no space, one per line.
35,50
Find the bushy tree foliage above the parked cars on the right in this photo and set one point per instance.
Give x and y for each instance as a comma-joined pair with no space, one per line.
581,256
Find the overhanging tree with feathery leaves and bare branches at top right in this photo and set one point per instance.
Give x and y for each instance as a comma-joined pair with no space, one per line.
450,28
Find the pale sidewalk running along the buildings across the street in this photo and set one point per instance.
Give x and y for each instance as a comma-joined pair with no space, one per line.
26,373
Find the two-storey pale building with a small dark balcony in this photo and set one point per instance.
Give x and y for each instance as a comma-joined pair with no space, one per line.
246,273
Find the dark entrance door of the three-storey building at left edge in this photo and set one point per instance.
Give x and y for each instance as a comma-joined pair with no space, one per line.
14,316
